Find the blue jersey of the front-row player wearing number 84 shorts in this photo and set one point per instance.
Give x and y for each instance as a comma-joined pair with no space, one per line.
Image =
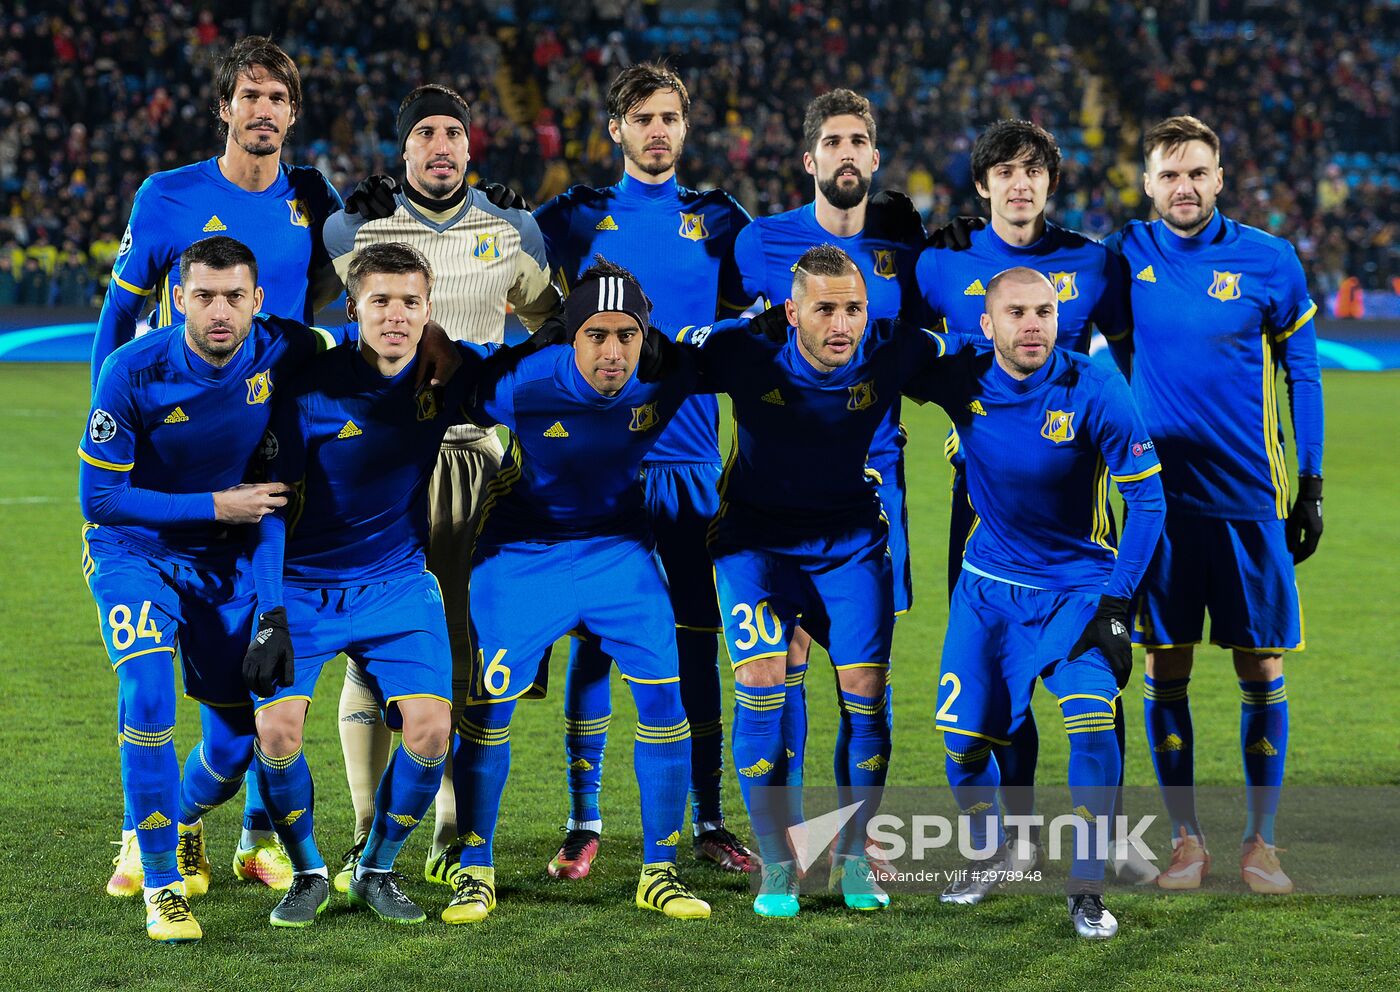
181,430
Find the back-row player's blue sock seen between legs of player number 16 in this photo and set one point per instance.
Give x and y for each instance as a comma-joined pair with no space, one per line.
587,714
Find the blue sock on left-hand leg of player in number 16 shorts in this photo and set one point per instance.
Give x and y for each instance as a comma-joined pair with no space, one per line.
481,766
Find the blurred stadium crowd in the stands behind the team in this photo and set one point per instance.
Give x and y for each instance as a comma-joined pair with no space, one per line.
94,97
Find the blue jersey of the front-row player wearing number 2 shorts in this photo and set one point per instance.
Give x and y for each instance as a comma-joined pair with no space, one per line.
1039,457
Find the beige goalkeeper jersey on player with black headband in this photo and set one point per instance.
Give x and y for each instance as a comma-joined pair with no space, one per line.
484,258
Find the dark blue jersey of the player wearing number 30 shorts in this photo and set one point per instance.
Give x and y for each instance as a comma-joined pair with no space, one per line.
803,437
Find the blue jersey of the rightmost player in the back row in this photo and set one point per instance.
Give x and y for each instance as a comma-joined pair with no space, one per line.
1213,320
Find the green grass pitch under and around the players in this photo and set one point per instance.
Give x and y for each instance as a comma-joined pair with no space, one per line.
59,800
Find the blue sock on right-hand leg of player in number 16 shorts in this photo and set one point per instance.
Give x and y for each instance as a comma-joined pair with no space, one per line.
661,759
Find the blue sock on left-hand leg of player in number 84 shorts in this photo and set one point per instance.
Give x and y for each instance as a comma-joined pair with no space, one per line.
150,767
